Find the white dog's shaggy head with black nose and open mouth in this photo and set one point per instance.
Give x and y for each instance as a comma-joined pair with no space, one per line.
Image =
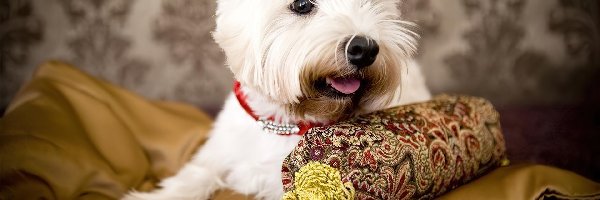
321,59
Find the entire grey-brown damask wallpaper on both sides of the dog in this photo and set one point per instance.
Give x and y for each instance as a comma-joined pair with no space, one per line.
513,52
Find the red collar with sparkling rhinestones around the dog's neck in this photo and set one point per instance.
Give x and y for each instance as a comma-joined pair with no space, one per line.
269,124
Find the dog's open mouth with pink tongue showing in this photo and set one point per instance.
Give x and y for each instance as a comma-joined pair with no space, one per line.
346,86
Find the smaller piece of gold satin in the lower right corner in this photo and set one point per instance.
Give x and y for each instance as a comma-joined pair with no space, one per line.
527,181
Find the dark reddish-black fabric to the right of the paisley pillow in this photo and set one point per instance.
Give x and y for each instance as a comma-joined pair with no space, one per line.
563,136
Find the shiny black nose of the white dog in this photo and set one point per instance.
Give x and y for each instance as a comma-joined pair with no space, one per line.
362,51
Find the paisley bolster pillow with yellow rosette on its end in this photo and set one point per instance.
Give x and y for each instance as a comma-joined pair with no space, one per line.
409,152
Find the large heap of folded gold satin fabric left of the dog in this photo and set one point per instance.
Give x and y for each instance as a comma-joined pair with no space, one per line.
69,136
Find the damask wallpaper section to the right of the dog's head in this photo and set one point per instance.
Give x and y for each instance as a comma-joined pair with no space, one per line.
510,51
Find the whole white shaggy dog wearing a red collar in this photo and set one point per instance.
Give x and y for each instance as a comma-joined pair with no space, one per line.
299,63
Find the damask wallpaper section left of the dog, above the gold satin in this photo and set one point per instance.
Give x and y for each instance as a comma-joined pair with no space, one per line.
160,49
